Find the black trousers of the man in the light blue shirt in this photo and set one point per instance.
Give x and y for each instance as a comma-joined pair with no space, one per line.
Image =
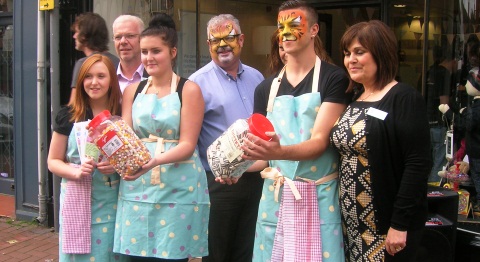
233,215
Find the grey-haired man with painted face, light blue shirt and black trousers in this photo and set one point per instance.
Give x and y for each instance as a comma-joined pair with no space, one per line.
228,87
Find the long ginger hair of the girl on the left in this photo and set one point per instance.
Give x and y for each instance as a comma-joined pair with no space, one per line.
81,101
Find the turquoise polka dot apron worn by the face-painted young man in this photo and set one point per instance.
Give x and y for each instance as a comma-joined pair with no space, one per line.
293,119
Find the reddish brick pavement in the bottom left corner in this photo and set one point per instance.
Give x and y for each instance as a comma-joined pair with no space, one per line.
23,241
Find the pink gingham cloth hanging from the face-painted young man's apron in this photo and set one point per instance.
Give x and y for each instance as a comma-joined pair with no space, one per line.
298,230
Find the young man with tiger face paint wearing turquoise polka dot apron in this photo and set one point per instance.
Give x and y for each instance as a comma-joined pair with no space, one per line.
299,216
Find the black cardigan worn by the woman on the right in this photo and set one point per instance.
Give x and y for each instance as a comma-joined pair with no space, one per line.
399,159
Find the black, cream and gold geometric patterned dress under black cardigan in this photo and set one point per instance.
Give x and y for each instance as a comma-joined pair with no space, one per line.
362,243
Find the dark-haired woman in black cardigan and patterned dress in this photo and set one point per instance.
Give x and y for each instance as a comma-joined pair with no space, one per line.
383,139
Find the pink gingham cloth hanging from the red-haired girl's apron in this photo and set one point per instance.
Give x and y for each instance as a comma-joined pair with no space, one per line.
77,217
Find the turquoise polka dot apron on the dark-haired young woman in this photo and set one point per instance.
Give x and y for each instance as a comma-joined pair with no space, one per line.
164,213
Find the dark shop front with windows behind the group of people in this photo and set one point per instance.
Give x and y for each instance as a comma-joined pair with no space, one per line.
421,28
